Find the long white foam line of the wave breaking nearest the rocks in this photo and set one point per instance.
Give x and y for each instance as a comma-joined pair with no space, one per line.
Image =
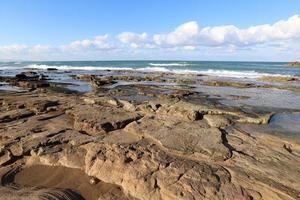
210,72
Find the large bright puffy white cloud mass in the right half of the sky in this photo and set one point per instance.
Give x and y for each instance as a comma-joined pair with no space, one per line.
189,34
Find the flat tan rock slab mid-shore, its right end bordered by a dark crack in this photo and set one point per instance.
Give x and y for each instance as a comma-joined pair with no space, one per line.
185,138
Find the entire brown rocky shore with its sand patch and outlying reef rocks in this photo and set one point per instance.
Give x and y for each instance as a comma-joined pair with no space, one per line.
138,141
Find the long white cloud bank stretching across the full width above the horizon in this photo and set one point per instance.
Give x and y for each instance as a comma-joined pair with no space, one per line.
189,36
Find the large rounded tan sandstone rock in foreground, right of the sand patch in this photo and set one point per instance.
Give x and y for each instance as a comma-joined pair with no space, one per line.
145,172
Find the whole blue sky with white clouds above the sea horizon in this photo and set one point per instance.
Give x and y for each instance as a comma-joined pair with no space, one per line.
249,30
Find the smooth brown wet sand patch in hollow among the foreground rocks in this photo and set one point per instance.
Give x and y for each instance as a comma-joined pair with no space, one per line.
63,177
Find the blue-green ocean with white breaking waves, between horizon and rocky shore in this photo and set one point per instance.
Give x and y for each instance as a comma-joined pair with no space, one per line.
249,70
